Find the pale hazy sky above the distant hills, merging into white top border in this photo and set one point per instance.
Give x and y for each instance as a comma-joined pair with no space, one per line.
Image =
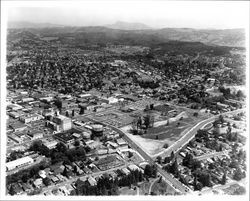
156,14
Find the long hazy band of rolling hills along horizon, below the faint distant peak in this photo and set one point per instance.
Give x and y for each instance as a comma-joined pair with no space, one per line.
221,37
